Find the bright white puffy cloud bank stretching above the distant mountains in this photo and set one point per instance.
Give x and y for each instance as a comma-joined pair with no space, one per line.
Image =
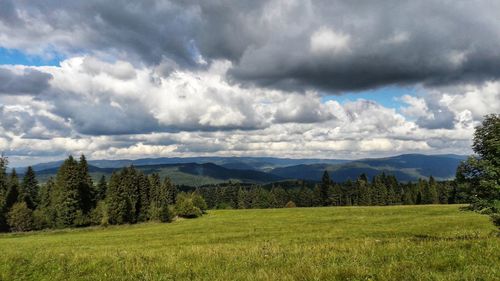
130,111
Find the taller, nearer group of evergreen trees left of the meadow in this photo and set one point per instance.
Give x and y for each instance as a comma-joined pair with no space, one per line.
71,199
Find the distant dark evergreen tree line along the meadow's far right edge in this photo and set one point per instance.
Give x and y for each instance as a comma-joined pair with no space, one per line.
381,190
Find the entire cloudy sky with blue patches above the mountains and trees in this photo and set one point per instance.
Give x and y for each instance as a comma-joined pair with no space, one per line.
302,79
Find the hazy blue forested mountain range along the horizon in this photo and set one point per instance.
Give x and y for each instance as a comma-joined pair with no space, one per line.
196,171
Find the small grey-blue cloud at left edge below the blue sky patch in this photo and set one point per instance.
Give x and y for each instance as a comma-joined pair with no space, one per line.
29,82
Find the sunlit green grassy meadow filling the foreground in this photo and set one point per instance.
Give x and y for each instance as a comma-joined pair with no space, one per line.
344,243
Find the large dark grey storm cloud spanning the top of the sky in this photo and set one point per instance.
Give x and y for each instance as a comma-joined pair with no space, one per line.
358,44
